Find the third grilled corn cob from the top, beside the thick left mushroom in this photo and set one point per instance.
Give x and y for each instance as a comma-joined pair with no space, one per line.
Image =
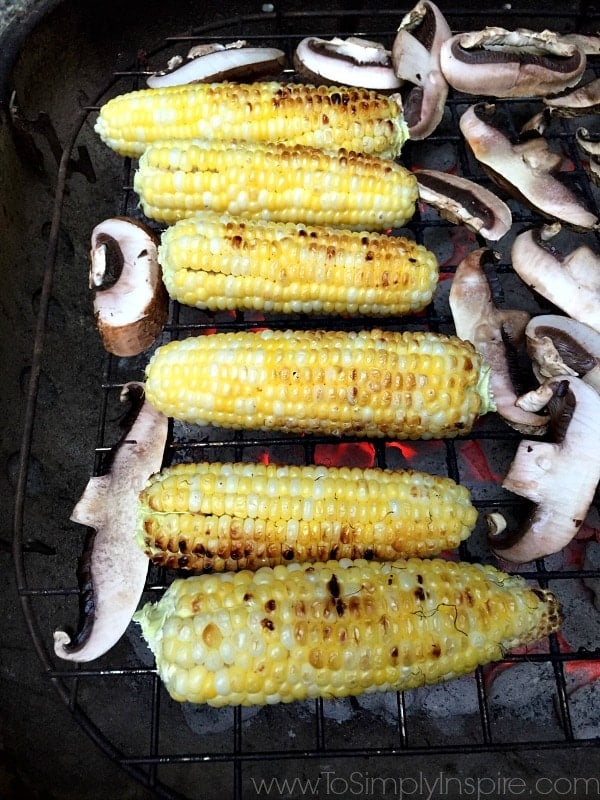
221,262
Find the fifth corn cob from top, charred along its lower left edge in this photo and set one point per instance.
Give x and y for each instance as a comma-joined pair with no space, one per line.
260,515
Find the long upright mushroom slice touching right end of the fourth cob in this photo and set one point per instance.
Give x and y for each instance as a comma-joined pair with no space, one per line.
493,332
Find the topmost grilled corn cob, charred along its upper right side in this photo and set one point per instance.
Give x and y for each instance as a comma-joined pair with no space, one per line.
327,117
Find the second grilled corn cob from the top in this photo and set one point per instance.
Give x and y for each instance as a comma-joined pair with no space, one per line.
275,182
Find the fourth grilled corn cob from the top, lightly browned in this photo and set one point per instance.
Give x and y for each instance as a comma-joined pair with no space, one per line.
406,385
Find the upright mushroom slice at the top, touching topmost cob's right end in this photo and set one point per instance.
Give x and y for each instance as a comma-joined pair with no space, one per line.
416,60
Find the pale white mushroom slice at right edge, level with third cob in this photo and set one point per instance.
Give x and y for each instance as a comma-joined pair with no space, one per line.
571,282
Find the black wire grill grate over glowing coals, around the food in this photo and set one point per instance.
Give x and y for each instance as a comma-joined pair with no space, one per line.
178,752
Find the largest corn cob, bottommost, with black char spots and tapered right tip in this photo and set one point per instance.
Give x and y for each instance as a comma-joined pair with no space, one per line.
337,629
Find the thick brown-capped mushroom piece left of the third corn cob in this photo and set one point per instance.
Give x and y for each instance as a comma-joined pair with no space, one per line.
130,301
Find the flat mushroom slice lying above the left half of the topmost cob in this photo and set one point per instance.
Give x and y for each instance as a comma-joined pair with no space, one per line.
218,62
